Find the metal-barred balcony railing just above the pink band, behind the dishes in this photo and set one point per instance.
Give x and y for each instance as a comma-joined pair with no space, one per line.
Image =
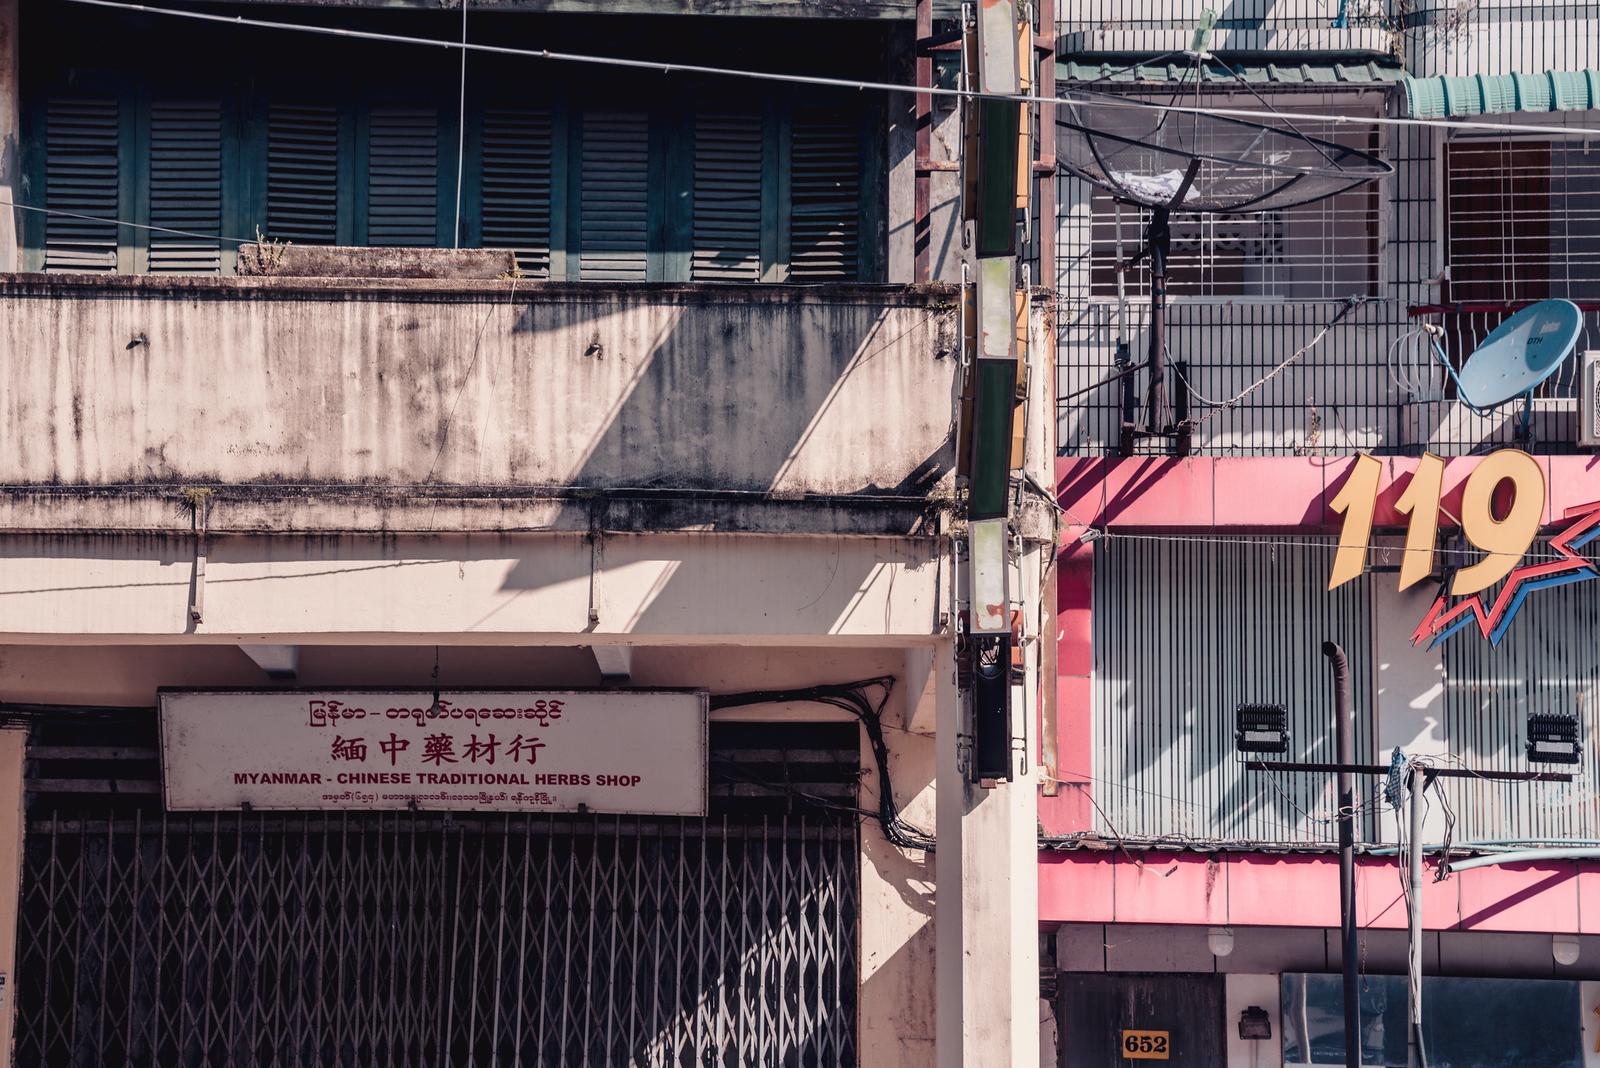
1369,385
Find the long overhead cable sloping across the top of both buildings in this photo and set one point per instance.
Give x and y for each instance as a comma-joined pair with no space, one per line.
1084,100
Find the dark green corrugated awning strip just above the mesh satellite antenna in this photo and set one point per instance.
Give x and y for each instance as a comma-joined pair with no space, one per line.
1257,70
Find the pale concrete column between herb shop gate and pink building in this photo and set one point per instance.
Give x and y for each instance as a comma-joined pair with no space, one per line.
988,898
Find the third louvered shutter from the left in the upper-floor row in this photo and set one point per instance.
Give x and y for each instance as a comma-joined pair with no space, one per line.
303,173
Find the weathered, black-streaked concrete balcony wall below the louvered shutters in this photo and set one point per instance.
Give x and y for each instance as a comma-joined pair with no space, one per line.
774,391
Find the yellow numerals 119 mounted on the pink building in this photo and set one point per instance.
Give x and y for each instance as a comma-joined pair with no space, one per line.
1503,538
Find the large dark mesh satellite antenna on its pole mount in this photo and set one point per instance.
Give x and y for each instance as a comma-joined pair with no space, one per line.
1196,164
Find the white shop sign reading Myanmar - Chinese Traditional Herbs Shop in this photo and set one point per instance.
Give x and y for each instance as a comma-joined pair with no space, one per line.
524,752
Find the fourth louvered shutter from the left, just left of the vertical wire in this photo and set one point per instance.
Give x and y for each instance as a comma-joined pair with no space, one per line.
402,177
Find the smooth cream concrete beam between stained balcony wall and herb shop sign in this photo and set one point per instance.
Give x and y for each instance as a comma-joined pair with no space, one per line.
484,589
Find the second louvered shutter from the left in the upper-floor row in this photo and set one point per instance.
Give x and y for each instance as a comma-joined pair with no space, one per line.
186,188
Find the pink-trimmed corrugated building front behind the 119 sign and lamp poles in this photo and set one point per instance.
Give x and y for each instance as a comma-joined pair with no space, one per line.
1151,898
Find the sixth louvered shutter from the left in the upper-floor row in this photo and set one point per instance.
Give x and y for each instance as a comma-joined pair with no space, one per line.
615,197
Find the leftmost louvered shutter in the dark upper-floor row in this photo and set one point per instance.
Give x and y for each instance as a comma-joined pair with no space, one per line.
82,180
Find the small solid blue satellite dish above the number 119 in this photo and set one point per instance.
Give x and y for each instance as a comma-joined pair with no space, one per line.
1519,354
